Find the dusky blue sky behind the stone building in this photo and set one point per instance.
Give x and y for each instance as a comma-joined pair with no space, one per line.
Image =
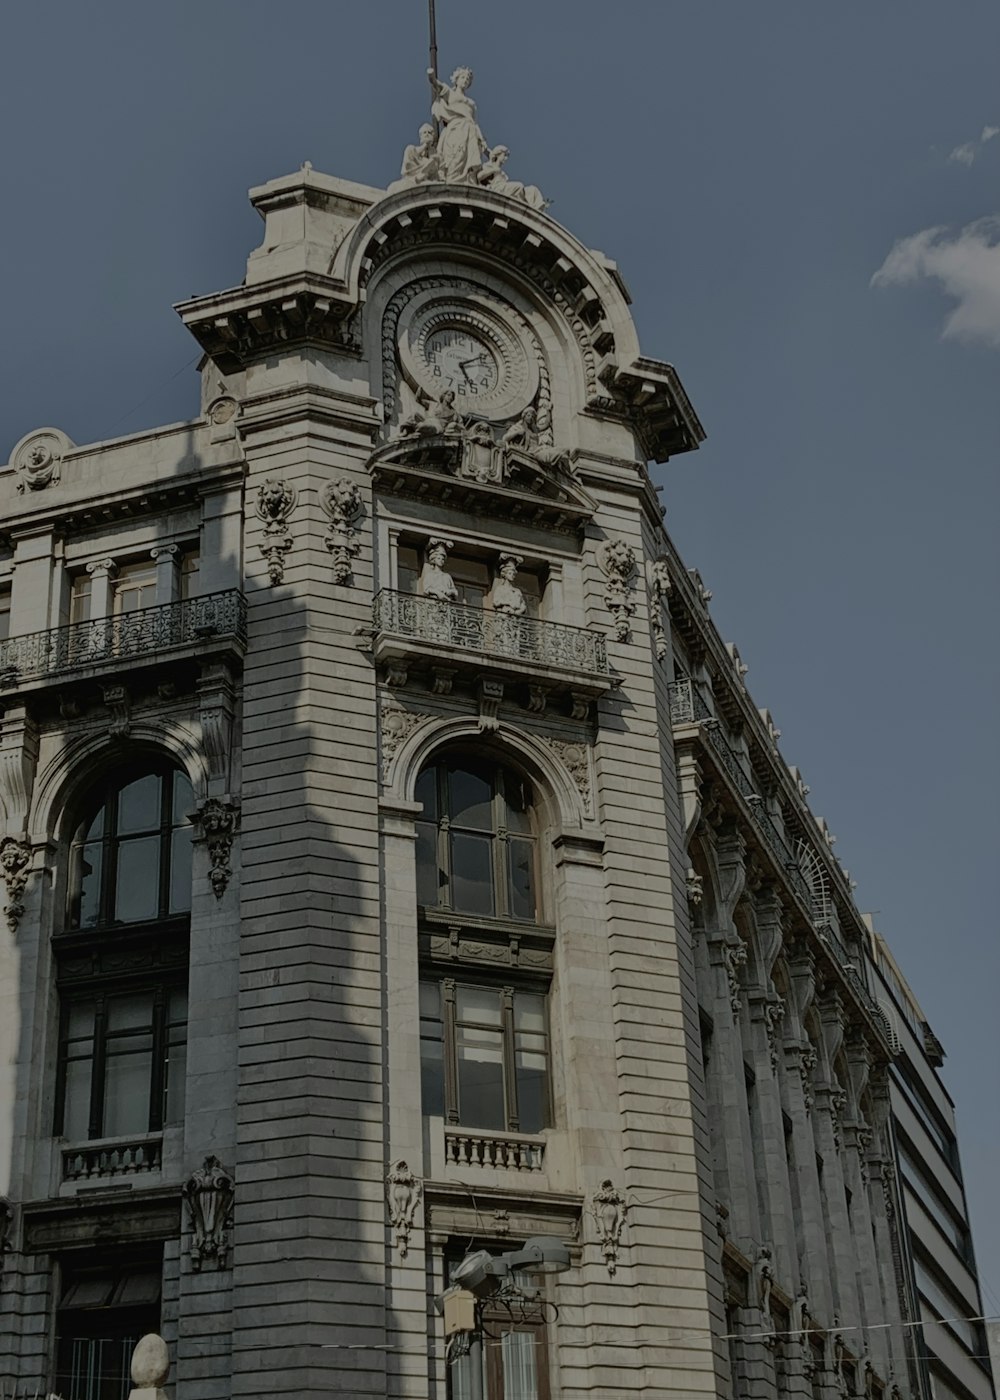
751,167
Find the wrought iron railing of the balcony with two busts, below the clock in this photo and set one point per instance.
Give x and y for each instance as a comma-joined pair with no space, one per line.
491,633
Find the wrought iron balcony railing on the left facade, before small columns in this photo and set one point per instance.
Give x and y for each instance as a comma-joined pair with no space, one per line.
146,633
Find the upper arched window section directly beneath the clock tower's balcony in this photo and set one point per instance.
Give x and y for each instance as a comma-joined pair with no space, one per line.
477,849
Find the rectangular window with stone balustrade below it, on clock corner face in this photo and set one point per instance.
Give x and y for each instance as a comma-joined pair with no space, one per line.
485,1056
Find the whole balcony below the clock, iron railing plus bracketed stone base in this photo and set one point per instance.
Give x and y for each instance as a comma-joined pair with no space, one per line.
452,639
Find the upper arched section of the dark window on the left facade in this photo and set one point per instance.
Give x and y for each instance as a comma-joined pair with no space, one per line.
131,859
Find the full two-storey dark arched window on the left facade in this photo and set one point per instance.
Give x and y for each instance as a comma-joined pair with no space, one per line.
123,960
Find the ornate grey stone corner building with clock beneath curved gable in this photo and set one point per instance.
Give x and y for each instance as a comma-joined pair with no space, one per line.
398,869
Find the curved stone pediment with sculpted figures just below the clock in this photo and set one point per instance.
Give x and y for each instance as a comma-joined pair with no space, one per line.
471,472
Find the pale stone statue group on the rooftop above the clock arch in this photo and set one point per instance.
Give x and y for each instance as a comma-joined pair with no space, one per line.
453,150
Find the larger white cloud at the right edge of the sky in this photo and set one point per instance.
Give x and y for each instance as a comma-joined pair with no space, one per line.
967,265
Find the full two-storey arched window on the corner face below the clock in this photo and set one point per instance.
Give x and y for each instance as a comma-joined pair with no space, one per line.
485,960
